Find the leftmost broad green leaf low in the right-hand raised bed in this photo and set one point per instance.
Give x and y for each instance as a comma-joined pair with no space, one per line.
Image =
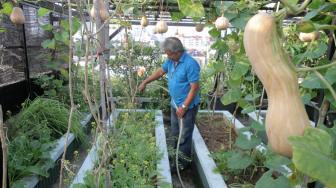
239,161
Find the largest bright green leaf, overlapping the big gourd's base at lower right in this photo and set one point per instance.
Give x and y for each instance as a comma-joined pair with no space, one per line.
312,155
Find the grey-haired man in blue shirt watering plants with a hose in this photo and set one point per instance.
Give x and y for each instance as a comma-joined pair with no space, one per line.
183,82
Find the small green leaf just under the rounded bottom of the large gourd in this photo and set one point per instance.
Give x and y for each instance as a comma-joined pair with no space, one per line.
277,162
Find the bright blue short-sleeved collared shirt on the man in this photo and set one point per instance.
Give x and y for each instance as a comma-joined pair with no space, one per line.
180,77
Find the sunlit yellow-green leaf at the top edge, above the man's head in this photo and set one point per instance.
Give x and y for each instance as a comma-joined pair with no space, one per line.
191,8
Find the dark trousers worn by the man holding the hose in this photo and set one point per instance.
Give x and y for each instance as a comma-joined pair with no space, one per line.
187,132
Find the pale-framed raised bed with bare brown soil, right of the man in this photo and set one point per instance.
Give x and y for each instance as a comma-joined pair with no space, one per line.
216,141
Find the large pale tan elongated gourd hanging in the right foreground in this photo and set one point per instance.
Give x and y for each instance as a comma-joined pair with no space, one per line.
286,115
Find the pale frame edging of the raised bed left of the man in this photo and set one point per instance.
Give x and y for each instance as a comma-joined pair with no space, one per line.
162,165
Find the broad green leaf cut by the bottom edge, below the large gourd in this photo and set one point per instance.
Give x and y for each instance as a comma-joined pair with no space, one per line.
267,181
